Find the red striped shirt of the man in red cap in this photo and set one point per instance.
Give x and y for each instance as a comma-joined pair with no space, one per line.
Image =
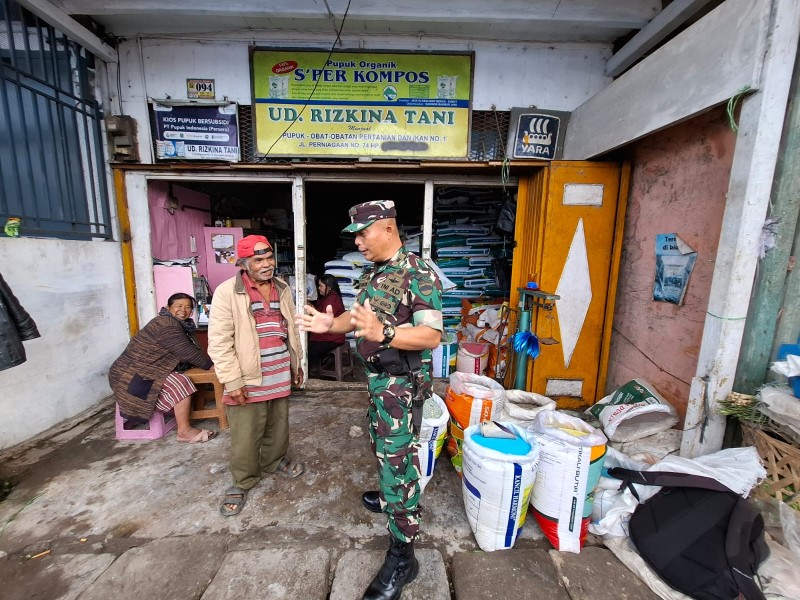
276,373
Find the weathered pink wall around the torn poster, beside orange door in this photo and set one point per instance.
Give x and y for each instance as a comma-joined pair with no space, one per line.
678,185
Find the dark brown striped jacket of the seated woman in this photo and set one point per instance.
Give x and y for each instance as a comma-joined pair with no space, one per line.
138,375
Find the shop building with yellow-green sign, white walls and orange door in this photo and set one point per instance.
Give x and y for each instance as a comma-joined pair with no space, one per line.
643,151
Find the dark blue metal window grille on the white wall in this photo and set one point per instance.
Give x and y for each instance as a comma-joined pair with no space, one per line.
52,172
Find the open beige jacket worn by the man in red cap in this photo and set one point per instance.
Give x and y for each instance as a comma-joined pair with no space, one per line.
232,336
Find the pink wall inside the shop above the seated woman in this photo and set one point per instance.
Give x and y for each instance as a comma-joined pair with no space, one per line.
170,233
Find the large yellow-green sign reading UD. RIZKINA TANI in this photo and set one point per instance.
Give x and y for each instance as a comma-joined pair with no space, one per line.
361,104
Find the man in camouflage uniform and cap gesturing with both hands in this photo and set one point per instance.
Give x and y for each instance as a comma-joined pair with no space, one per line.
397,320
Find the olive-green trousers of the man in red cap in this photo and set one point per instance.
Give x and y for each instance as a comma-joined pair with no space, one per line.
259,439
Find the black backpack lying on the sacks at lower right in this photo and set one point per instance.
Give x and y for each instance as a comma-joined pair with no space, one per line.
699,536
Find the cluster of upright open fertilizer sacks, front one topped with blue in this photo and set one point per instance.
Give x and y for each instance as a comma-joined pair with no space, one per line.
513,449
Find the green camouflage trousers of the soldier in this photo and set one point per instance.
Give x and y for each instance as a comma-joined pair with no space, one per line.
395,447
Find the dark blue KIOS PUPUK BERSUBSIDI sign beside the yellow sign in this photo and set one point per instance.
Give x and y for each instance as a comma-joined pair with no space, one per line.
196,130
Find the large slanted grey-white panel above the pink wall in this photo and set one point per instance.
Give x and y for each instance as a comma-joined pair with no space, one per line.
703,66
